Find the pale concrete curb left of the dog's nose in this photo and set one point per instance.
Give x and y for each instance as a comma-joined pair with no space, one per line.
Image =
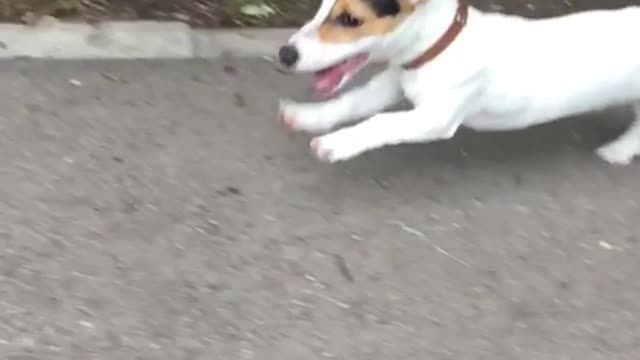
134,40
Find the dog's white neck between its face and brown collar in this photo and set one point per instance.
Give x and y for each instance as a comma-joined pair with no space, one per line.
420,31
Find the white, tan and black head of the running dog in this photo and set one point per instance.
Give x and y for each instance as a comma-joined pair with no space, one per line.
342,38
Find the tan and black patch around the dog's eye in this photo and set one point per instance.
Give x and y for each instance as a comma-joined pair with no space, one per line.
351,20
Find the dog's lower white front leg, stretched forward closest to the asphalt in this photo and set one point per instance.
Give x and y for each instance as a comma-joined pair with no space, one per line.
392,128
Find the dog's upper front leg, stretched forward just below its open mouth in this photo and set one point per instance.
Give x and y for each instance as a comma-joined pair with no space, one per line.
380,92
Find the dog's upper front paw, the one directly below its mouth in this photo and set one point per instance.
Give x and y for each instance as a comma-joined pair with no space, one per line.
307,117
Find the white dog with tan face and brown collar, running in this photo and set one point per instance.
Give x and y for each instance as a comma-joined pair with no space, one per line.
458,66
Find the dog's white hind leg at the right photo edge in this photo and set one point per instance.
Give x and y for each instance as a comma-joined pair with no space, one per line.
622,150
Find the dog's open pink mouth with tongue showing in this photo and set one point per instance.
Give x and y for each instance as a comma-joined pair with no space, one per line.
327,81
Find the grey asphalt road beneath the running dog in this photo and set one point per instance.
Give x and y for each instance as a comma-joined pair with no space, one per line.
153,210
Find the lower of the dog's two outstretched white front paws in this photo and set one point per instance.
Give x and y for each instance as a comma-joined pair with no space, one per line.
334,147
